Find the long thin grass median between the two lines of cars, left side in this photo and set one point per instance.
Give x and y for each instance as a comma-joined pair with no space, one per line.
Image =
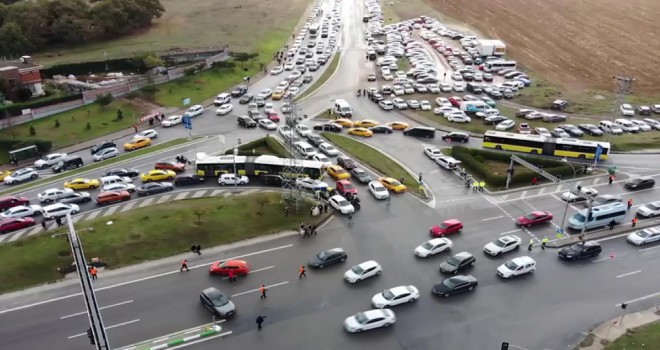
71,174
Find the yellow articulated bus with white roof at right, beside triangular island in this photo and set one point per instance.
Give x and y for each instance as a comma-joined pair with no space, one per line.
549,146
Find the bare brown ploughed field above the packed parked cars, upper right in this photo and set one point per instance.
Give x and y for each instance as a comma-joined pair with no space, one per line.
579,45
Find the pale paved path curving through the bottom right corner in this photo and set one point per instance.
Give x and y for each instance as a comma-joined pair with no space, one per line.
617,327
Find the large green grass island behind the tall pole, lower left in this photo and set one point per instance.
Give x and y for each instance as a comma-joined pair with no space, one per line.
149,233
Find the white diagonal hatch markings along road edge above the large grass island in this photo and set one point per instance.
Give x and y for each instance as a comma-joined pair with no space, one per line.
124,207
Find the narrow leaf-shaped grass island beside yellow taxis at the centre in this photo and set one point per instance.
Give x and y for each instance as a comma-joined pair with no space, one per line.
374,159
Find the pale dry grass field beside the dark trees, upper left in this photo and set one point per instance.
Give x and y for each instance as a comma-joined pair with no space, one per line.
194,24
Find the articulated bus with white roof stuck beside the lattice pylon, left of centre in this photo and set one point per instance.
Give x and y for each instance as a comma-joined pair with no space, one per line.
213,166
